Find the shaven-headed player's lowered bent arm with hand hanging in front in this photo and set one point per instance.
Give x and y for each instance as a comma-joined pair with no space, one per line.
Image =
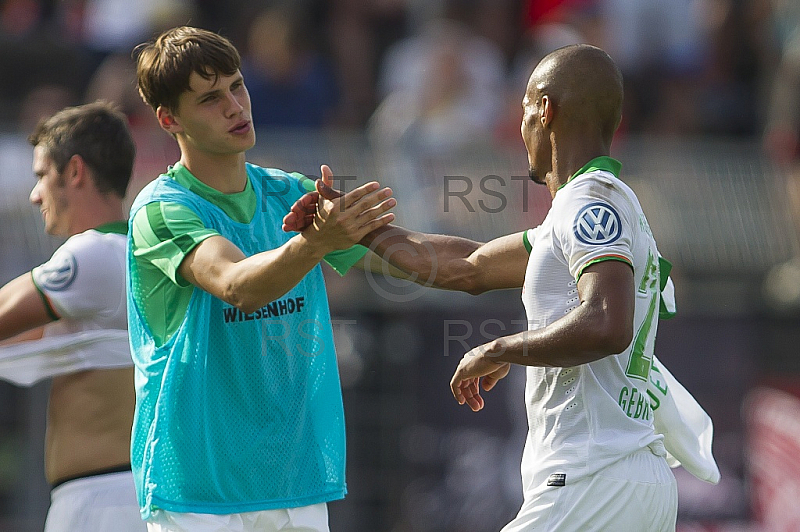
601,325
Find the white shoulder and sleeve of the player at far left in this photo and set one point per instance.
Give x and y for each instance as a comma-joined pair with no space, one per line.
85,277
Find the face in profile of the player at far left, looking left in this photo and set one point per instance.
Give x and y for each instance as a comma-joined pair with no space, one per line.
49,193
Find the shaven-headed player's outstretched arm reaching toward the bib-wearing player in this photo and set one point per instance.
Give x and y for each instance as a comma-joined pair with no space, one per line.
451,262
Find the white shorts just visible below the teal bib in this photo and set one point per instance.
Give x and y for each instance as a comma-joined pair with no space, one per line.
312,518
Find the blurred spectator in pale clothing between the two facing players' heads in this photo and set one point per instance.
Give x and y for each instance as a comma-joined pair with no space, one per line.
441,90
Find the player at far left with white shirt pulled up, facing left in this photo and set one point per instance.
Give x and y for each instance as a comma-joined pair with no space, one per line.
67,320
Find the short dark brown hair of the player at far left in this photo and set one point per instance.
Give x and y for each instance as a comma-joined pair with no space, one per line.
99,133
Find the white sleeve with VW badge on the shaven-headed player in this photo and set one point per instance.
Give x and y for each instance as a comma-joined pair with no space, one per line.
593,223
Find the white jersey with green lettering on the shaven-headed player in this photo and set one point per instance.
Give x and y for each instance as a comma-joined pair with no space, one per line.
584,418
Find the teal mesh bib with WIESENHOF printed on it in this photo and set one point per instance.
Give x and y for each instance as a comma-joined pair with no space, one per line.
238,412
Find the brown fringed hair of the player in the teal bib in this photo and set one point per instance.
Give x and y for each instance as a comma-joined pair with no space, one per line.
165,64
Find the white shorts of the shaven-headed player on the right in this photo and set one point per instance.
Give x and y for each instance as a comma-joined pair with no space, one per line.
636,493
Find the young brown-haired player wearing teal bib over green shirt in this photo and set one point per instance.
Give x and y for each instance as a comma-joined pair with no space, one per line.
239,422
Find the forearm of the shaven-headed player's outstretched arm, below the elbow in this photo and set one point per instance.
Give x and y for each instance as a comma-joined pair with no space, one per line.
430,260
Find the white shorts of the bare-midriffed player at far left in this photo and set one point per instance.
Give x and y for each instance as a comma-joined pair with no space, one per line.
100,503
